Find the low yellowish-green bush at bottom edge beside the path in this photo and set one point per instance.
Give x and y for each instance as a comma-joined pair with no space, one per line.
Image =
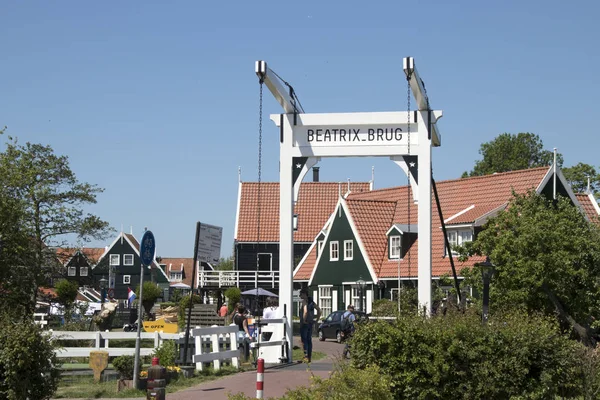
345,383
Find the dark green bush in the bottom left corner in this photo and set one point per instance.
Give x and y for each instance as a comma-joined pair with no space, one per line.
28,365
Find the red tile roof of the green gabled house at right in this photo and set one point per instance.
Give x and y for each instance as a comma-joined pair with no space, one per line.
463,201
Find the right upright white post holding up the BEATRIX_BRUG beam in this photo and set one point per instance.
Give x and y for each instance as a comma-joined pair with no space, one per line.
424,214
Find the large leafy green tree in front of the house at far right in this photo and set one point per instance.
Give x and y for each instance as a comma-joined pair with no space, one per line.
547,259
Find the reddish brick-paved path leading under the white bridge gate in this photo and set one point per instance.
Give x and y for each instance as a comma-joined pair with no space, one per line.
276,381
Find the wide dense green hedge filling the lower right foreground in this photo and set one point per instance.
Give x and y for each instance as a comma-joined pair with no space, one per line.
456,356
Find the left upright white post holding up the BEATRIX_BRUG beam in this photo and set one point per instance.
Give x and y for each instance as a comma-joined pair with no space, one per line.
286,232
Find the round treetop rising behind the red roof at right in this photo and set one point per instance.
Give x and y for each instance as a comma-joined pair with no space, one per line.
509,152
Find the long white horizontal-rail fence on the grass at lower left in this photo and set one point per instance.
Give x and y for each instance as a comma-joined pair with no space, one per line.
158,337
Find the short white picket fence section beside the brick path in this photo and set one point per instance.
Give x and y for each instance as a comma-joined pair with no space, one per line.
216,335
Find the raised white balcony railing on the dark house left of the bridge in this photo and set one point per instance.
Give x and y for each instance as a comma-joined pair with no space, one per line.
238,278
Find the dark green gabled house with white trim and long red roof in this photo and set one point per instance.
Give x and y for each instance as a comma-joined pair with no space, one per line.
367,249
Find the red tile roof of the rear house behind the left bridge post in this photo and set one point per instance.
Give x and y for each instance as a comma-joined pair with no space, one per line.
316,202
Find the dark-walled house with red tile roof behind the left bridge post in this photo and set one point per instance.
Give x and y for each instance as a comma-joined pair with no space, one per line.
256,236
